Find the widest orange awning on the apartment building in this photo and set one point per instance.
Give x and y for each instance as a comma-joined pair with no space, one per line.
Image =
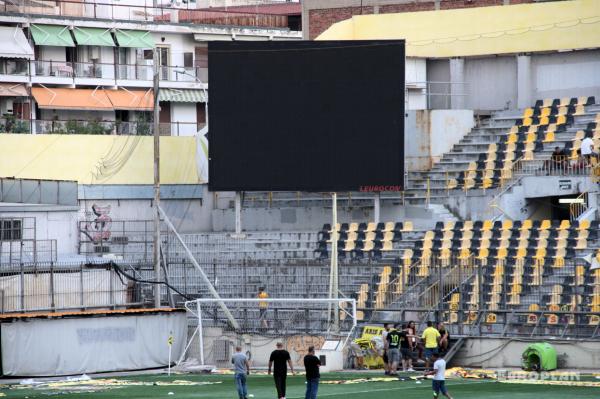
85,99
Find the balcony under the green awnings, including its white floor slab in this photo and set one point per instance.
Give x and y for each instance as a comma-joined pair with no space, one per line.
97,74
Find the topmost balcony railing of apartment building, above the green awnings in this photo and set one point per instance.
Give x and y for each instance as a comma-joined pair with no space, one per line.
104,9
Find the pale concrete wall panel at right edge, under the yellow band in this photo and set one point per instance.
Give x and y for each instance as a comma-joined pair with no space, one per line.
568,74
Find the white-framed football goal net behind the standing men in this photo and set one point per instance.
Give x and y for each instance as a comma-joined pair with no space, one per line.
218,326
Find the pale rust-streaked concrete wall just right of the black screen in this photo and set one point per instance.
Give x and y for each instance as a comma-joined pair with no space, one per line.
430,134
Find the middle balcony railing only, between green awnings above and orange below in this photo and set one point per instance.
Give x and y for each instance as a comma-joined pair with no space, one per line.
99,70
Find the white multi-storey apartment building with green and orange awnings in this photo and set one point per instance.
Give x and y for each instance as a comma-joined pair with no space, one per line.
86,66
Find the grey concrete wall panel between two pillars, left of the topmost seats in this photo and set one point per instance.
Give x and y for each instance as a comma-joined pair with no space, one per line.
491,83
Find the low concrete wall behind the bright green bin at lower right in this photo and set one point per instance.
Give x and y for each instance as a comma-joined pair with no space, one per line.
500,353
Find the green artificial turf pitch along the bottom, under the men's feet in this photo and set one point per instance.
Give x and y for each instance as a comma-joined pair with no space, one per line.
261,386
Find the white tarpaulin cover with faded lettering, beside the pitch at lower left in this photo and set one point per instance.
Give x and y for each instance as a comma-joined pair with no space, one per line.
52,347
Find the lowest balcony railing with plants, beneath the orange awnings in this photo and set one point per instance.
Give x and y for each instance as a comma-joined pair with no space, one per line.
140,128
